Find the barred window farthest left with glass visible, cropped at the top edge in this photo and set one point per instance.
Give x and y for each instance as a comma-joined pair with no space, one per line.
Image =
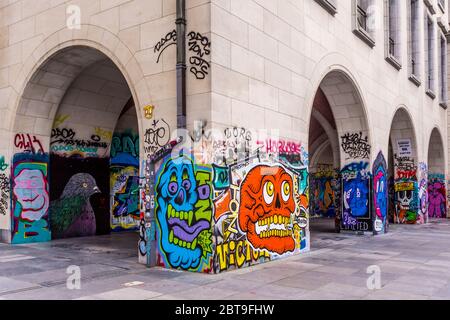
363,20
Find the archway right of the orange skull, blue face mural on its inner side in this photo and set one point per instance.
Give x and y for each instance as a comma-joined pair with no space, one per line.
340,153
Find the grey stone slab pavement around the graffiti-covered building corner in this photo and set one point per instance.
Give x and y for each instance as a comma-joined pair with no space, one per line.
414,263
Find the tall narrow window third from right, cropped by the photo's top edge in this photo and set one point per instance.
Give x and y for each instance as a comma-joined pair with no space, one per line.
413,42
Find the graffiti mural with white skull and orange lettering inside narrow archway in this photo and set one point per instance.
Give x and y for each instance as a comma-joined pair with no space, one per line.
406,190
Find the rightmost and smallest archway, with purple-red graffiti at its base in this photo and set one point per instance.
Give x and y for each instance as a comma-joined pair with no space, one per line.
437,193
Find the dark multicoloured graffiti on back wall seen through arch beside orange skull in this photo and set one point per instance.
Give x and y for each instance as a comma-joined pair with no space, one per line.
323,191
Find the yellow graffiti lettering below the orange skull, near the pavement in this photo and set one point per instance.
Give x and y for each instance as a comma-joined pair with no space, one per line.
237,253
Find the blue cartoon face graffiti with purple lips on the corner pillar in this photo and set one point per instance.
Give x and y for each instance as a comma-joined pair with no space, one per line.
181,217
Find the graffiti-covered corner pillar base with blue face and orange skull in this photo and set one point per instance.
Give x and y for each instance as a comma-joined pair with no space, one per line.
249,206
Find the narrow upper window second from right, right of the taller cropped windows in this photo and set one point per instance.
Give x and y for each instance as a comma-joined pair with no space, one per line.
429,55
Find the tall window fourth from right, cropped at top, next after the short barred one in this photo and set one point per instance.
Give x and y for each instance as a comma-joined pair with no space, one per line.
392,22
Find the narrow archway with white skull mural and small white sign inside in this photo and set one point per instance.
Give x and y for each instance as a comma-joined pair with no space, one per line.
403,169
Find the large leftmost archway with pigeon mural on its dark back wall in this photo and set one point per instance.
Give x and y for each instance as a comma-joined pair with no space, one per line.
75,169
